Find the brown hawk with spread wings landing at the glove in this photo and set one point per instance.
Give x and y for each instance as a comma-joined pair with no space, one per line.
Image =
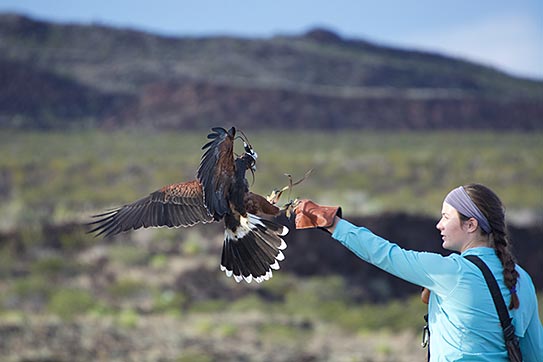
253,241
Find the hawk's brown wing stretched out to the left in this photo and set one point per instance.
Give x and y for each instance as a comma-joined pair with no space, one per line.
175,205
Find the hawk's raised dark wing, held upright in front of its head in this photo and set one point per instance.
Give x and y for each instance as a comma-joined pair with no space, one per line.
216,171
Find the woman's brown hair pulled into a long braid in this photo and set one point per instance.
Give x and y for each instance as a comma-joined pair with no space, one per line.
491,206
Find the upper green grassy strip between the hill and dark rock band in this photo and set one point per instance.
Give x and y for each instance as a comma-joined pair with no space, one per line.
58,176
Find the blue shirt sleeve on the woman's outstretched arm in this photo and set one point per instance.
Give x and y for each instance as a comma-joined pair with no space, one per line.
434,271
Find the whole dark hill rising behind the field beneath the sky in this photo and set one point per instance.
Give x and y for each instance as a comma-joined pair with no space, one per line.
68,75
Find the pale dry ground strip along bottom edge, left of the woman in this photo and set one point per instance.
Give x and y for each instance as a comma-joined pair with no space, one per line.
243,337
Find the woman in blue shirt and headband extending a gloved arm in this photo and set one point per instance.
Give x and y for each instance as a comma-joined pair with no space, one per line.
463,322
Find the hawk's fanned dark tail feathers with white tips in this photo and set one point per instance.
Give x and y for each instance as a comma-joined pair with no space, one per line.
253,250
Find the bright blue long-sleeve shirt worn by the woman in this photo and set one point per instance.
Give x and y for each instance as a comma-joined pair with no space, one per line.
463,322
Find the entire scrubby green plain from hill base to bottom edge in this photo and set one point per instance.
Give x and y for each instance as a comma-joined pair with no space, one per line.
157,295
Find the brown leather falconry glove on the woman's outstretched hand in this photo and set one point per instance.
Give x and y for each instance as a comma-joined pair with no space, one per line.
311,215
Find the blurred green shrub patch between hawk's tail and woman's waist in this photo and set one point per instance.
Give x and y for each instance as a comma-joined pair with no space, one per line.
325,299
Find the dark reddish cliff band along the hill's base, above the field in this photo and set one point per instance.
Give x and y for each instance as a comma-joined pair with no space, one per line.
200,104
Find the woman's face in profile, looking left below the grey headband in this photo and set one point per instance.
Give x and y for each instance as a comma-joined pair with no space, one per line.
453,234
